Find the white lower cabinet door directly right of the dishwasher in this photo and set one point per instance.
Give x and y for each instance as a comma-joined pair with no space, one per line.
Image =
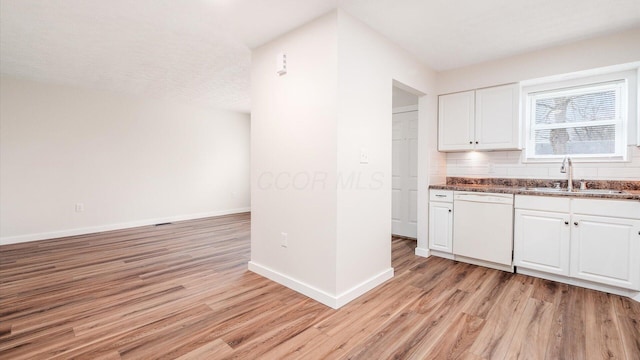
541,241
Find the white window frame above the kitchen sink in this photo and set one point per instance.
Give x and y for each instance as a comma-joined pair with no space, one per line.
618,81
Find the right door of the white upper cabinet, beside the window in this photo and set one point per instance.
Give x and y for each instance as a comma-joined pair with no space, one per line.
497,119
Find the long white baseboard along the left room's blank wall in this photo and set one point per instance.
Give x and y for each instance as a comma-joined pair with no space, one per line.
118,226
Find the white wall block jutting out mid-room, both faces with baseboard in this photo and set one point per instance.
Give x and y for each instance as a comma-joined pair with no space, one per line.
311,123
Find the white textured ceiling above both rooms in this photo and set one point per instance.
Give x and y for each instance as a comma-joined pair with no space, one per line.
199,50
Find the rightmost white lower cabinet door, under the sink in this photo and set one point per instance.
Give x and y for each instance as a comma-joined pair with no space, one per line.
606,250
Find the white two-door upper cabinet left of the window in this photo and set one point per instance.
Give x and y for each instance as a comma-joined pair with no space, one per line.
483,119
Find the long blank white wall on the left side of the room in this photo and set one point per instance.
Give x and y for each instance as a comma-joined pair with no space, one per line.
130,161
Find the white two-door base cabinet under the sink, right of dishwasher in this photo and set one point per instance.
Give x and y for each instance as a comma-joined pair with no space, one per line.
587,239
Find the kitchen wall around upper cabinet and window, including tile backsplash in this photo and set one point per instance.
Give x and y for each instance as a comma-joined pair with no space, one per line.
582,57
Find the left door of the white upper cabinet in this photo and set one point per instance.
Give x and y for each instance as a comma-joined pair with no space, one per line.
456,121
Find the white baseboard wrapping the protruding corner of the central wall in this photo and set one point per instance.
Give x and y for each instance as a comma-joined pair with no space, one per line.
321,296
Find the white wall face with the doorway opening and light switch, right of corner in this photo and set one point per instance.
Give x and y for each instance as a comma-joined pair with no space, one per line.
368,64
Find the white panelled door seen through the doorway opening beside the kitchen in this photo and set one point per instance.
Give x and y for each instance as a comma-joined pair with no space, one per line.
404,214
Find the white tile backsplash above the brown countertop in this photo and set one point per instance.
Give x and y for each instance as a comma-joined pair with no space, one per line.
508,164
